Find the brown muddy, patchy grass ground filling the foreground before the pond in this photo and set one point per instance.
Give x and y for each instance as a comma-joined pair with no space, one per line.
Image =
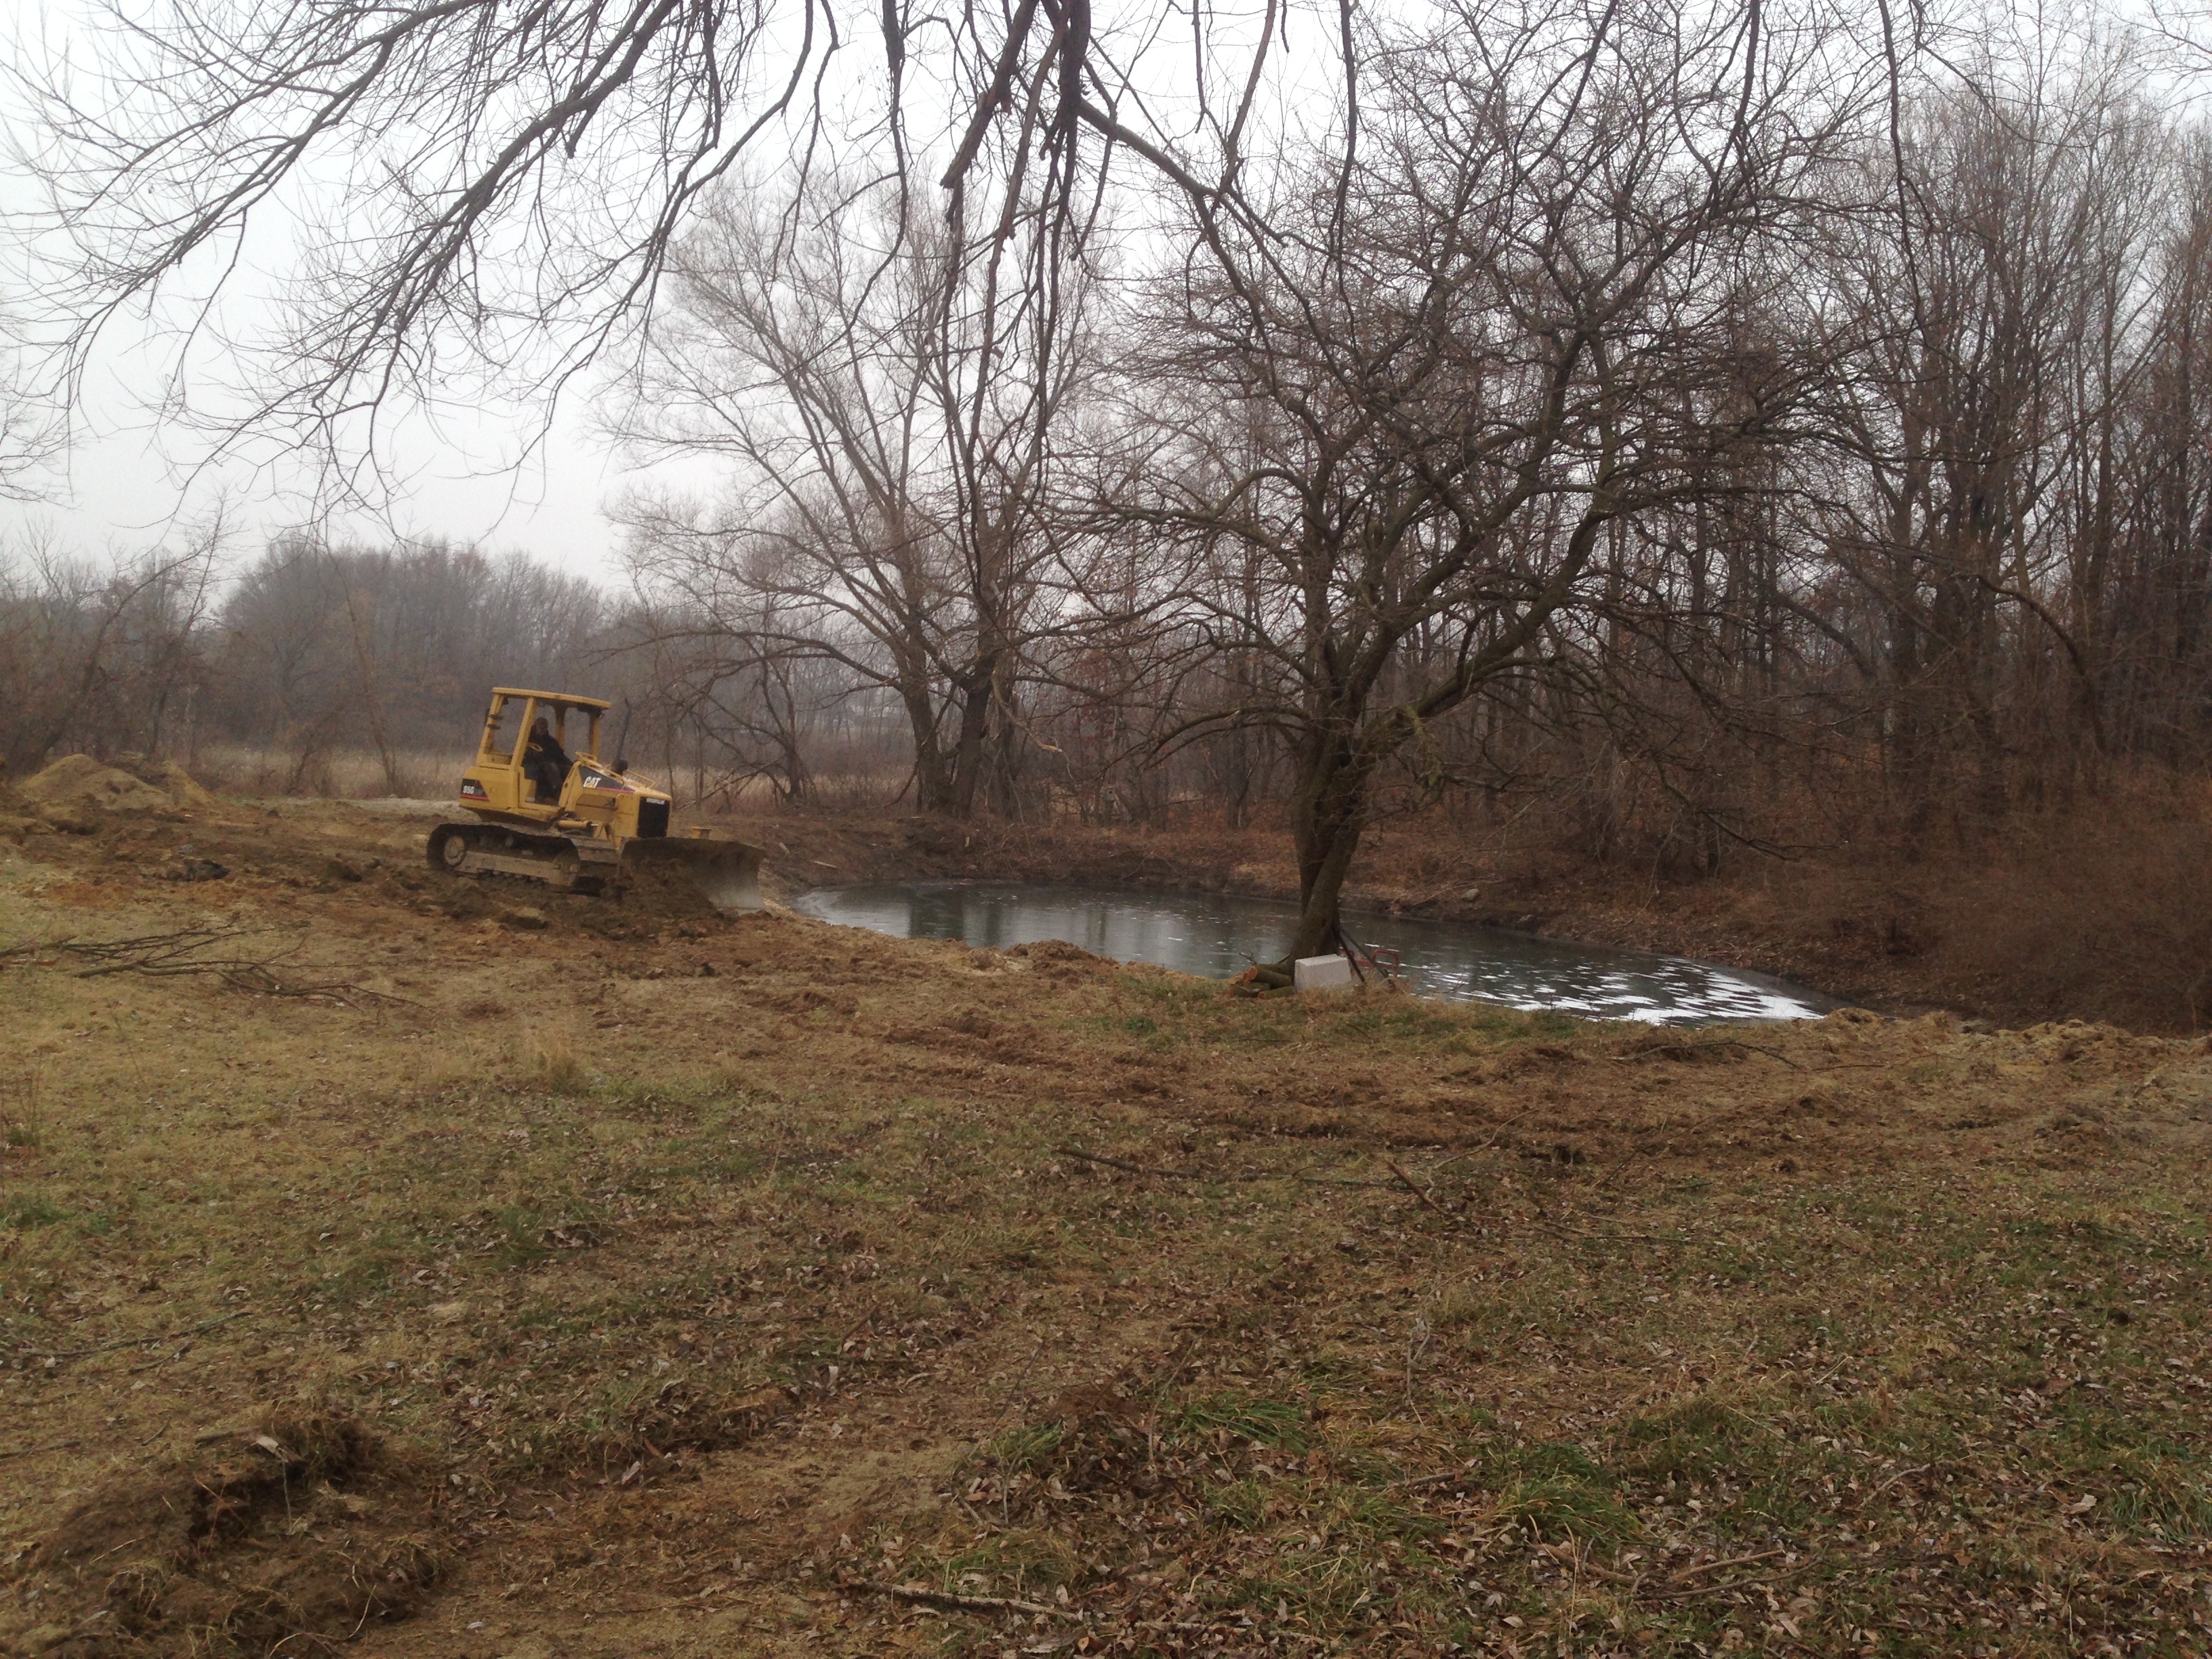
439,1269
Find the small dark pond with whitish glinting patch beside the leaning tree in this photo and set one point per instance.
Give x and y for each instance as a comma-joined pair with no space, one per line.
1218,937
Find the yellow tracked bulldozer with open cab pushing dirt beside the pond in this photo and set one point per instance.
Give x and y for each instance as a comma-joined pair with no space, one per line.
552,813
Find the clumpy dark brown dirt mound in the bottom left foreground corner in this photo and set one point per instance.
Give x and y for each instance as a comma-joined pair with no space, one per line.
264,1536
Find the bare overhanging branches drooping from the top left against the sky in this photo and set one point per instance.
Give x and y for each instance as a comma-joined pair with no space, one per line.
457,198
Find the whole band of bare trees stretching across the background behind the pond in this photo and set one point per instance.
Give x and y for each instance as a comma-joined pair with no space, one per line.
1702,446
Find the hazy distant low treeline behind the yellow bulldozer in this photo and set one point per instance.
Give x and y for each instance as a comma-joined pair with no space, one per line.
315,656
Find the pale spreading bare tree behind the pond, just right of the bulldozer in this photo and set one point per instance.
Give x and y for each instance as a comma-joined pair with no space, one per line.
884,401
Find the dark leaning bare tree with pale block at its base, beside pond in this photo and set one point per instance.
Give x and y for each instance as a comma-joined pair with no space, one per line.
1461,346
